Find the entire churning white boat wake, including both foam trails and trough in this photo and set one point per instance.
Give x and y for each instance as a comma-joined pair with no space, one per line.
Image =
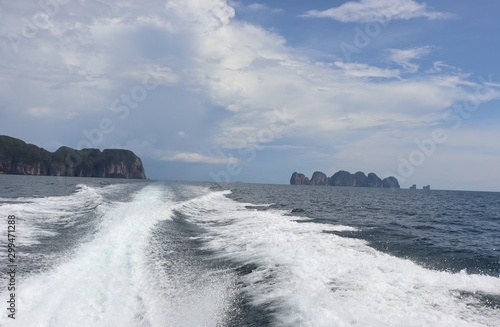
148,260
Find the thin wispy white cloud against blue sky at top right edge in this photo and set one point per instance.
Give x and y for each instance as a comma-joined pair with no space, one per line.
365,11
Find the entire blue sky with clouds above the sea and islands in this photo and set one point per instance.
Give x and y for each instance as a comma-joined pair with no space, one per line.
251,91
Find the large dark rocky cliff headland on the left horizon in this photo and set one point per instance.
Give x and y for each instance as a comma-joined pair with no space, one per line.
17,157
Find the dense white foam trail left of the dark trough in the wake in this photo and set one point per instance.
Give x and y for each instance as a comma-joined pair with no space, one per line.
114,281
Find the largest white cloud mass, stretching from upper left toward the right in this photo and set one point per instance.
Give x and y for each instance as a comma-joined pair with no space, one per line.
242,68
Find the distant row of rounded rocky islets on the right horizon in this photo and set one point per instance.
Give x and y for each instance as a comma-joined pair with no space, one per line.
345,178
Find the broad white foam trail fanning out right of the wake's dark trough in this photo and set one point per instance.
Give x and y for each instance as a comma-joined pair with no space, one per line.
311,278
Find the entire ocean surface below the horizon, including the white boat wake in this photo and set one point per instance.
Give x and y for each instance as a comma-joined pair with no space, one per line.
96,252
